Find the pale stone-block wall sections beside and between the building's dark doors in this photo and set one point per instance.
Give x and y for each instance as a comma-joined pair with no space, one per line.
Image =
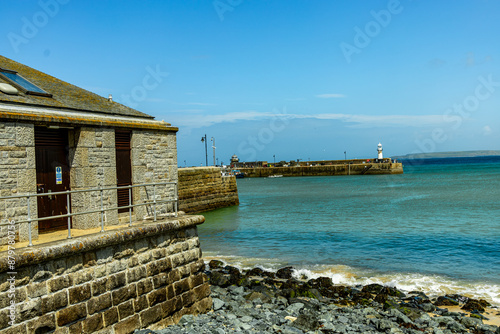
92,160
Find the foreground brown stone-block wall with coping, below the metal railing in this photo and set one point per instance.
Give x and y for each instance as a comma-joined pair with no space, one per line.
117,281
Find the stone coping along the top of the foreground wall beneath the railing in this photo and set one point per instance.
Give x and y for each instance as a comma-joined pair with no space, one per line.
69,247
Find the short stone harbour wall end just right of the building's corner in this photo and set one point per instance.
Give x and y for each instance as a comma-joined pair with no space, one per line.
204,188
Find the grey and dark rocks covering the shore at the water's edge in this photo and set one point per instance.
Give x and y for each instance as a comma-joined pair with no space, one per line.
257,301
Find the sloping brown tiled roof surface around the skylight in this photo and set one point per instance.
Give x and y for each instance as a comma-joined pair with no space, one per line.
63,94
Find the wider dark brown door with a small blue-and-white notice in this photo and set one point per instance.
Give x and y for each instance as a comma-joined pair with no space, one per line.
52,175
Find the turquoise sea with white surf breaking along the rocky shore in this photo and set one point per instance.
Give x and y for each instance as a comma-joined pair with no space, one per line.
436,228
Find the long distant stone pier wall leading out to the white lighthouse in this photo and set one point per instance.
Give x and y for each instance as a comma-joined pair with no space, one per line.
326,170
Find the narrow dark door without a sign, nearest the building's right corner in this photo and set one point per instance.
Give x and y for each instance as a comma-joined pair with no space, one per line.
123,166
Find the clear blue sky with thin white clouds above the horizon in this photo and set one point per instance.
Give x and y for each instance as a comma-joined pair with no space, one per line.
294,79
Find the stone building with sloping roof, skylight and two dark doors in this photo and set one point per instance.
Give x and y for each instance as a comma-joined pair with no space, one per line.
55,137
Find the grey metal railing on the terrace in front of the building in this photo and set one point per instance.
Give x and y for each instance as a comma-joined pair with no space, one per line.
154,202
